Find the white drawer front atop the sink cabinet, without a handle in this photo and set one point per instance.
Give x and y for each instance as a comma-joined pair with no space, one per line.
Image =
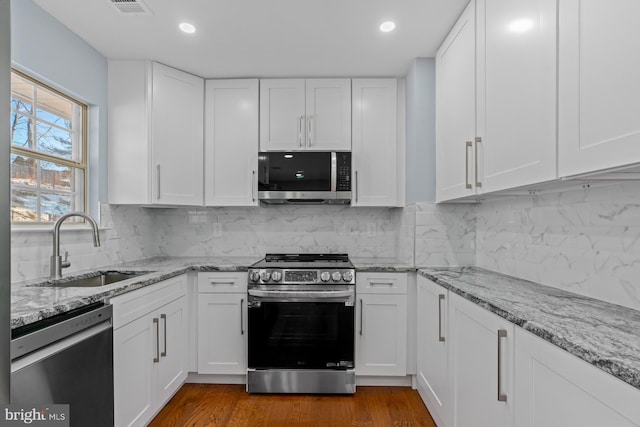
132,305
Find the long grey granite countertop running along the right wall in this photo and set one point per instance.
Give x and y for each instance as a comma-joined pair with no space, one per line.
603,334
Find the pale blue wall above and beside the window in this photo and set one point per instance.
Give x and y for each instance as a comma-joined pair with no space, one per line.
47,50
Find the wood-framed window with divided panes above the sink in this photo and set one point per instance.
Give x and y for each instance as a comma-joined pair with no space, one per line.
48,152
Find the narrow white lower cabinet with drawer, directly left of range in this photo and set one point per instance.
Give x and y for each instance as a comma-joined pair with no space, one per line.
222,323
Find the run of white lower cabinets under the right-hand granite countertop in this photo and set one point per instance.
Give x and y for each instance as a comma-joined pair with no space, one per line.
478,369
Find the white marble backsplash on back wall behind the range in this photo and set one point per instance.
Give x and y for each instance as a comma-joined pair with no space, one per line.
254,231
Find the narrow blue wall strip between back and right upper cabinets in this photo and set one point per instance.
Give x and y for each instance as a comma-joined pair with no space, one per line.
420,132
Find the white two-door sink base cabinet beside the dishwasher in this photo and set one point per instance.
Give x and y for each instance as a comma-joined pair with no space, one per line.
149,349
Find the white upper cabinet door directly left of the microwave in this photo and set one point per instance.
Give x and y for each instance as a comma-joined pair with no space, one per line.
231,142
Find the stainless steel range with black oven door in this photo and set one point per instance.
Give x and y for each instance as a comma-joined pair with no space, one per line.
301,324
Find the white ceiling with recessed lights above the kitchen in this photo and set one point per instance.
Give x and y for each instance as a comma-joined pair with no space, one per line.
266,38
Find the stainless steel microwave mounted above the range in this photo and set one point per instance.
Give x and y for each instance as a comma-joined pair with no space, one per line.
304,177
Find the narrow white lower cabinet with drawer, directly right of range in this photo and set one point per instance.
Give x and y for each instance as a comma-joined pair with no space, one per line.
381,324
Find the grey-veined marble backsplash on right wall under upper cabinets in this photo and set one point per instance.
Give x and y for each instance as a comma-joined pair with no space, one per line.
583,241
